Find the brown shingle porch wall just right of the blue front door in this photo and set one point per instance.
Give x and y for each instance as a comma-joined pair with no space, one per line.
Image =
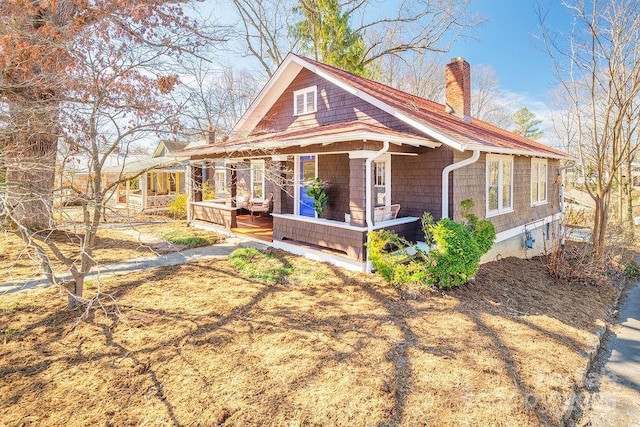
334,169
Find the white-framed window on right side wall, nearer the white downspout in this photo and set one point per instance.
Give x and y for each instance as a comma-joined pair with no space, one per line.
499,184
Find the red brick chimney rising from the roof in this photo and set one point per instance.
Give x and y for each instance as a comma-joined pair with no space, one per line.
458,88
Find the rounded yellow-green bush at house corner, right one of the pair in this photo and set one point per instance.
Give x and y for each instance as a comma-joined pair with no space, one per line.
456,256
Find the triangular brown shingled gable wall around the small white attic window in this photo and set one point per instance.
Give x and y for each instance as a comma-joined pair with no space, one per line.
334,106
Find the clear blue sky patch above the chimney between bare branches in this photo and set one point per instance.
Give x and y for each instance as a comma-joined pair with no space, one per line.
509,43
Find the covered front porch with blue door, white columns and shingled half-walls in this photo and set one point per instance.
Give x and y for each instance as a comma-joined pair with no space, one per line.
363,181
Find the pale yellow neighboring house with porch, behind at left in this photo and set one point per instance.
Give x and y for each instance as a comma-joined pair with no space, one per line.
155,181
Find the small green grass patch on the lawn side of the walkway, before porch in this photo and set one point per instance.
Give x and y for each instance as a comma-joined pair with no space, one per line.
261,266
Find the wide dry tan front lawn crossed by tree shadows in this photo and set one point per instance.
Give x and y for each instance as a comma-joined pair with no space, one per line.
199,345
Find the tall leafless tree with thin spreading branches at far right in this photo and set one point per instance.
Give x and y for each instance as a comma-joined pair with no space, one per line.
599,72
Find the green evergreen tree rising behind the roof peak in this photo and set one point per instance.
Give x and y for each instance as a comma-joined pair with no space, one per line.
325,34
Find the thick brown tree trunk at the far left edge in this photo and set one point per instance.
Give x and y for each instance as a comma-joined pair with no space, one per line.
30,158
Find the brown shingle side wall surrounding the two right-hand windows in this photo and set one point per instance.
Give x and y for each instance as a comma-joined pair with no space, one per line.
470,182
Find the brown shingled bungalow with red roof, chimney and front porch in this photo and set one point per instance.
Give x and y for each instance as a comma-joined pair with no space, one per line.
375,147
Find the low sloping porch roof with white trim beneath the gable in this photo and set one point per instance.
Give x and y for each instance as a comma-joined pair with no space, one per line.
320,135
